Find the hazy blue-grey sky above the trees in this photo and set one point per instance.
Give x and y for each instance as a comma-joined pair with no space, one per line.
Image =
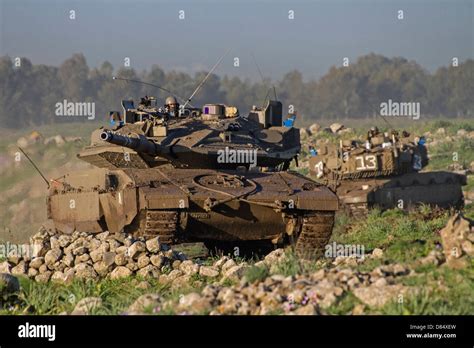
320,35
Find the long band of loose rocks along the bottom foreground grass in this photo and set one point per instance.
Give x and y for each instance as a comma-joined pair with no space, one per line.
301,294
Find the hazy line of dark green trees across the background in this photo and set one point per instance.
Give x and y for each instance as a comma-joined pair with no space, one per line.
30,92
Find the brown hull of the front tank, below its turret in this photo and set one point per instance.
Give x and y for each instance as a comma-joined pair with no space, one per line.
191,205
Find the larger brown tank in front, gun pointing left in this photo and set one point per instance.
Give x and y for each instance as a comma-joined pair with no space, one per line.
195,174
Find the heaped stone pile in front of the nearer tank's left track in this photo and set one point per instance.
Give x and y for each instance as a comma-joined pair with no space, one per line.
60,257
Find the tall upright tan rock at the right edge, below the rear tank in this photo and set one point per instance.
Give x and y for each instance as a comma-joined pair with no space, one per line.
453,235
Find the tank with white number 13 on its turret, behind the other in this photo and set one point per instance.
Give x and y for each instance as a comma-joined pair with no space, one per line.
384,171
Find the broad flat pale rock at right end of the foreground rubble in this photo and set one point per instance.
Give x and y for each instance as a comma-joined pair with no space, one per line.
378,296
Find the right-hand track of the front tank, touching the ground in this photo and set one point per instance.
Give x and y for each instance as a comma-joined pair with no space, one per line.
315,233
